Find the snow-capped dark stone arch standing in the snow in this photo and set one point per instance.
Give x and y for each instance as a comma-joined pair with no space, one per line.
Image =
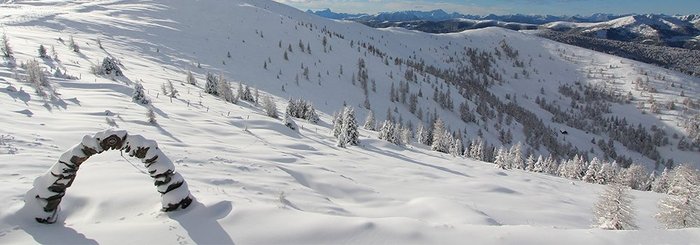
44,198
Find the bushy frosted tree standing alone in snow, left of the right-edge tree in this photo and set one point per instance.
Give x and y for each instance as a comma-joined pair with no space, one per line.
614,209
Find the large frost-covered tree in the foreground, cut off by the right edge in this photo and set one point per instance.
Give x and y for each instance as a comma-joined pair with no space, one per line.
680,208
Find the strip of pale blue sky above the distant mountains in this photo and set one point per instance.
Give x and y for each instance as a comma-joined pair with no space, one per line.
555,7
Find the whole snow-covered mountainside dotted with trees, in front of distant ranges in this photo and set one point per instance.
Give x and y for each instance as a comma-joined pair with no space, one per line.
289,128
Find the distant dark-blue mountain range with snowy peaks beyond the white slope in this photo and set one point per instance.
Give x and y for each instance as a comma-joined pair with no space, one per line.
651,29
